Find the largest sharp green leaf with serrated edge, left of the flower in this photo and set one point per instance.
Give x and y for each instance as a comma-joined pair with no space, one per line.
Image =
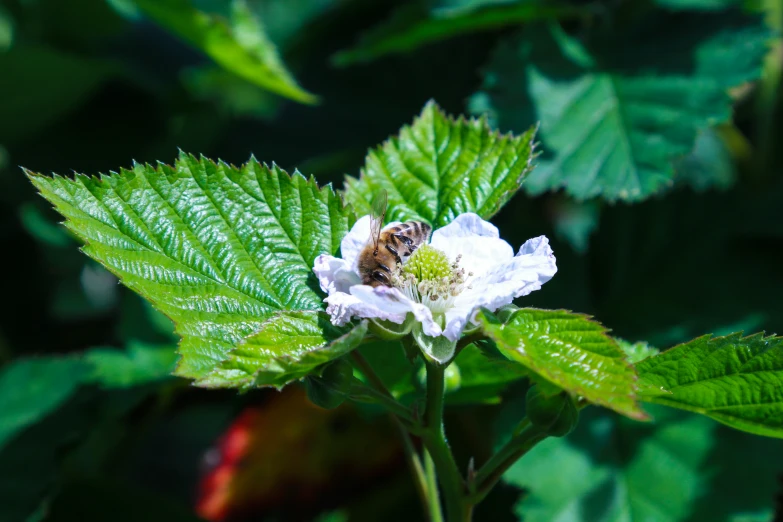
218,249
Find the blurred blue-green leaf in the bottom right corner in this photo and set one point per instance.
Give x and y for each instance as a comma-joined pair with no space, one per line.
682,468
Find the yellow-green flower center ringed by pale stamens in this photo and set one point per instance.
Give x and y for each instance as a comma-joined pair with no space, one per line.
428,278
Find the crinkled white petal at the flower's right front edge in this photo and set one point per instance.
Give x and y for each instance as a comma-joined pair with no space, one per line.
532,267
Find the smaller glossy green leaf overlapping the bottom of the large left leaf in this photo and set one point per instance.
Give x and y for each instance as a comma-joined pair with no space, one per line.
287,347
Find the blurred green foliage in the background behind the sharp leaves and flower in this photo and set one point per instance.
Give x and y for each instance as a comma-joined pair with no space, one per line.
672,105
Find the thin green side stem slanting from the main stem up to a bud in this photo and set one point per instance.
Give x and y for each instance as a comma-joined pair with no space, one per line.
525,437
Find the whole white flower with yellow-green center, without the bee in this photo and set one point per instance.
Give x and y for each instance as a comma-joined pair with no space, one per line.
475,269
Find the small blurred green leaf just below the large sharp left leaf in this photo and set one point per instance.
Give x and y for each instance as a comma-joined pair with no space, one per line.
139,363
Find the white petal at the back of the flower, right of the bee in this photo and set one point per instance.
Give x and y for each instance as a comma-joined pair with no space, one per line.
476,240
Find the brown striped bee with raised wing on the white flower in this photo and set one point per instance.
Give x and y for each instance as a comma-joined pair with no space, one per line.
386,248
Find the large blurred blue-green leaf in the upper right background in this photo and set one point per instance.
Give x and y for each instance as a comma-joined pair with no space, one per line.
617,109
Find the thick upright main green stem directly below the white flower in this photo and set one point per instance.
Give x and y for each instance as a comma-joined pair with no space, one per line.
434,439
